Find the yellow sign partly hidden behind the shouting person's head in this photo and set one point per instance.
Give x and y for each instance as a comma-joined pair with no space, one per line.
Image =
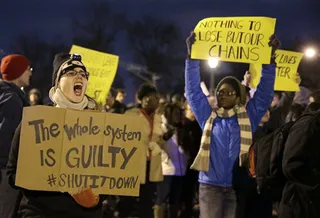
102,68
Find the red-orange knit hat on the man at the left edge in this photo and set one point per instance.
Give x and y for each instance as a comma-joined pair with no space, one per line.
13,66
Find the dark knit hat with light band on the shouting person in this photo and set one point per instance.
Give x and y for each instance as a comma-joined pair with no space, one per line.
63,62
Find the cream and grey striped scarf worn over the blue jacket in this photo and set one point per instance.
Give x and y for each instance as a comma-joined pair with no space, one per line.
201,162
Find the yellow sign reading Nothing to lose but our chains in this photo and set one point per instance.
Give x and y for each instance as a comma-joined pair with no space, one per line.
234,39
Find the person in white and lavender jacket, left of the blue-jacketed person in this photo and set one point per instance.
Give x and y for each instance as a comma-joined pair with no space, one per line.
174,161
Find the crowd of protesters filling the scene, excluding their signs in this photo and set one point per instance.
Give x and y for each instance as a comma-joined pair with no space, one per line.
197,156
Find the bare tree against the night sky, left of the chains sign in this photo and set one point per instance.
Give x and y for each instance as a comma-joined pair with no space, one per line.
157,44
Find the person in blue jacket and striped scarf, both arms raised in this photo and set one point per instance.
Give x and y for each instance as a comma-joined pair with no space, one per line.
227,132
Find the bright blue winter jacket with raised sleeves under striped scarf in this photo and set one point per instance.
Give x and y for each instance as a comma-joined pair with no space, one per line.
225,139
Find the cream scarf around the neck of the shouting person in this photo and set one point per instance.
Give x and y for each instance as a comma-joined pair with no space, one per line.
58,98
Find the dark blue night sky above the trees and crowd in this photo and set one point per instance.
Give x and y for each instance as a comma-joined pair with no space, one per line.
52,19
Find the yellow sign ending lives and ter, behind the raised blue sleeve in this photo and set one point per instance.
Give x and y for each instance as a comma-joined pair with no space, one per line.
286,71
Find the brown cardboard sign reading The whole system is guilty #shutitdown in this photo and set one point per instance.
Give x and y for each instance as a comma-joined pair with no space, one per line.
65,150
